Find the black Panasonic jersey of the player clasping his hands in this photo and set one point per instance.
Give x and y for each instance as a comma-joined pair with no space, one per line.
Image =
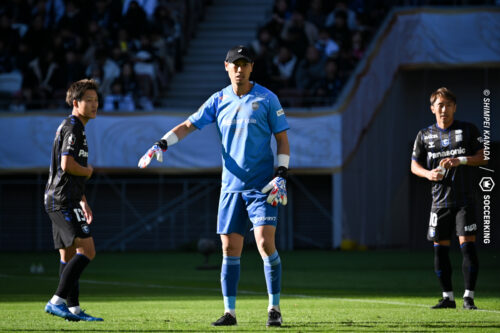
434,144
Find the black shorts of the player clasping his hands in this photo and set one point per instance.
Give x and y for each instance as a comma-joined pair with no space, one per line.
443,221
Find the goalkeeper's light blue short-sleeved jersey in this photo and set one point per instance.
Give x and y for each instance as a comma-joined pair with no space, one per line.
245,125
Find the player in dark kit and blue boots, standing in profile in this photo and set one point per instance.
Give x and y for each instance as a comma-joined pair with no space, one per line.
65,200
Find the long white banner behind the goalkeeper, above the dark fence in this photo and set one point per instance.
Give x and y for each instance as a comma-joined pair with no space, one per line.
118,141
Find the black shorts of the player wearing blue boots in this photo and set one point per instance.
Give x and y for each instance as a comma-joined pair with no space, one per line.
67,225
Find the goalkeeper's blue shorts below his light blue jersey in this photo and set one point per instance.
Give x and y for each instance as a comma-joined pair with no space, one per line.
235,208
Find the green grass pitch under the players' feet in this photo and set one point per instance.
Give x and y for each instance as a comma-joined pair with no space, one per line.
373,291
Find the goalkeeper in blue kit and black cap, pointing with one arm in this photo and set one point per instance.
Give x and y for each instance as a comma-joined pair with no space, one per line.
246,115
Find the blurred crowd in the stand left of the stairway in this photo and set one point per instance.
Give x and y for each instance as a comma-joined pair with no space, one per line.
131,47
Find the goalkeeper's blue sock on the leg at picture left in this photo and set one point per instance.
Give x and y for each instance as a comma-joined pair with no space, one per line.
229,277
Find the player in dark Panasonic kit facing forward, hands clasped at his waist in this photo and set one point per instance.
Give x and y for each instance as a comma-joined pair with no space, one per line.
443,153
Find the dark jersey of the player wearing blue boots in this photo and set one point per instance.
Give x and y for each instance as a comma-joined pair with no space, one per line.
64,191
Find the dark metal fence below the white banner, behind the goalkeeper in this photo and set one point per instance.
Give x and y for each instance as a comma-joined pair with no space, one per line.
158,212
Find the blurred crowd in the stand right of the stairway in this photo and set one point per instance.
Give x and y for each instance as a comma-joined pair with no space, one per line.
307,49
